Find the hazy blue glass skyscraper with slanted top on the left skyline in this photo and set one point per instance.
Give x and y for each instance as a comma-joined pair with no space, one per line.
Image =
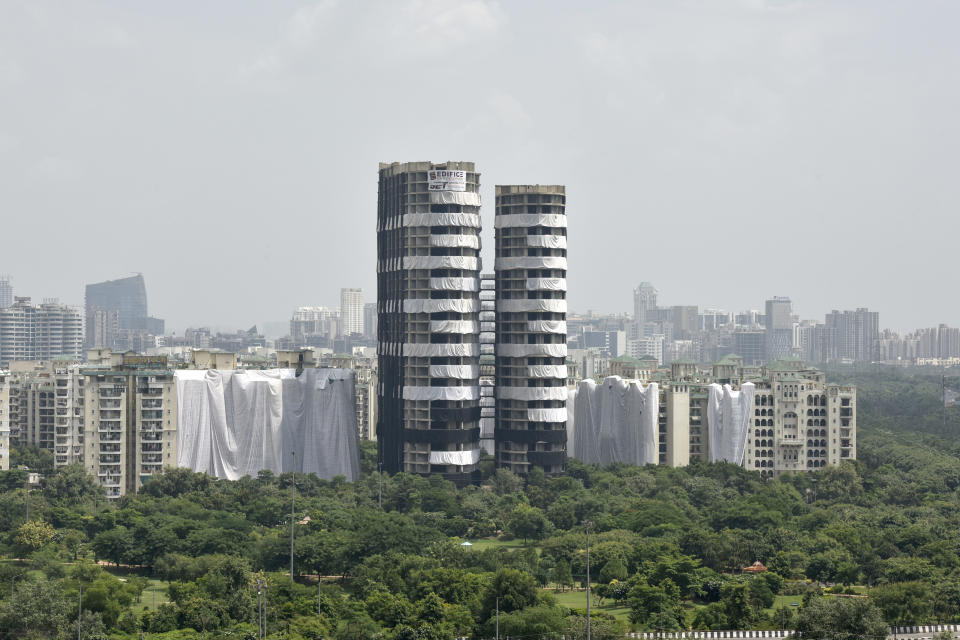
121,304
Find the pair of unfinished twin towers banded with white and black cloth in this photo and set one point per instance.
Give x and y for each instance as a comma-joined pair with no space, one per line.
430,320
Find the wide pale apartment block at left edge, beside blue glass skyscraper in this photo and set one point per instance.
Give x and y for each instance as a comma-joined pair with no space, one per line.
39,332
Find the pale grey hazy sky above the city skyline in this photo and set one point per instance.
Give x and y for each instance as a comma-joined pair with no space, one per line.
725,151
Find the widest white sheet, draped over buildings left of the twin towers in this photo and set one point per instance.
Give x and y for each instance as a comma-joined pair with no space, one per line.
237,423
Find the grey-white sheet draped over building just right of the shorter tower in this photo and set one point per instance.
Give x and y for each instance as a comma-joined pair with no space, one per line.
614,421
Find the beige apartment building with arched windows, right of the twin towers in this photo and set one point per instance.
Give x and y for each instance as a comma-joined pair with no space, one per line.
795,420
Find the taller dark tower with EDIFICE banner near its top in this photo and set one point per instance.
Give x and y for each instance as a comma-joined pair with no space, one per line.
428,271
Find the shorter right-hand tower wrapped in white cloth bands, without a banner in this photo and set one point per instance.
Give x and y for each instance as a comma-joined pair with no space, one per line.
531,348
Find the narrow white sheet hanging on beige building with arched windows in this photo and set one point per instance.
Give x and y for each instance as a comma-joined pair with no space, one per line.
728,420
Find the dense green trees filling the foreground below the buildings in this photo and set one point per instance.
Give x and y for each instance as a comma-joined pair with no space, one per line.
867,544
